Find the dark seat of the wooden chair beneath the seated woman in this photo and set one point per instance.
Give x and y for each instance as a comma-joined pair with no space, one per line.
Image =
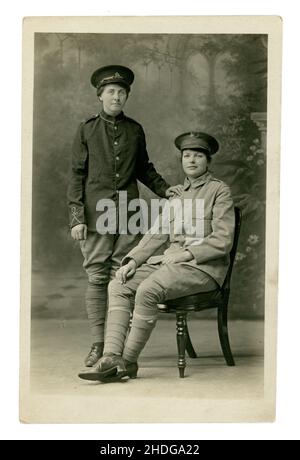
195,302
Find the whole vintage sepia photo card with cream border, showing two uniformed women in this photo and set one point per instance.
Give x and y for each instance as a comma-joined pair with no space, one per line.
150,206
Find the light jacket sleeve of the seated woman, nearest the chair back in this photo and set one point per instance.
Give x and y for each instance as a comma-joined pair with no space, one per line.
219,242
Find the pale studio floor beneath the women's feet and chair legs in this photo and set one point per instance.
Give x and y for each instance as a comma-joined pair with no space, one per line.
58,348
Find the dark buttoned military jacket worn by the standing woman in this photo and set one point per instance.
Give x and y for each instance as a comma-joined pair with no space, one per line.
109,154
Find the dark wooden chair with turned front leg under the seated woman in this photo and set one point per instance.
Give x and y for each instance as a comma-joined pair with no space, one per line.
212,299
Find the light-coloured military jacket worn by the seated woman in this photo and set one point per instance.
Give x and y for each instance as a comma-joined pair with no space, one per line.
210,252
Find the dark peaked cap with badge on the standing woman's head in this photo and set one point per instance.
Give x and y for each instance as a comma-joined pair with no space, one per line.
112,74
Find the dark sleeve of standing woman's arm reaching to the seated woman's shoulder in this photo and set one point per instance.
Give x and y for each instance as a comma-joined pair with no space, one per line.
146,172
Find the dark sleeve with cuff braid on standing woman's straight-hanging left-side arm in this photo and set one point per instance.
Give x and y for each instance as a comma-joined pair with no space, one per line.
77,177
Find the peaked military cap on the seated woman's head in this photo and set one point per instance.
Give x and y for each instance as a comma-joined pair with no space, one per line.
197,140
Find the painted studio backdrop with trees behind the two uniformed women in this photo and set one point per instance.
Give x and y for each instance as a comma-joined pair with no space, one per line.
212,83
